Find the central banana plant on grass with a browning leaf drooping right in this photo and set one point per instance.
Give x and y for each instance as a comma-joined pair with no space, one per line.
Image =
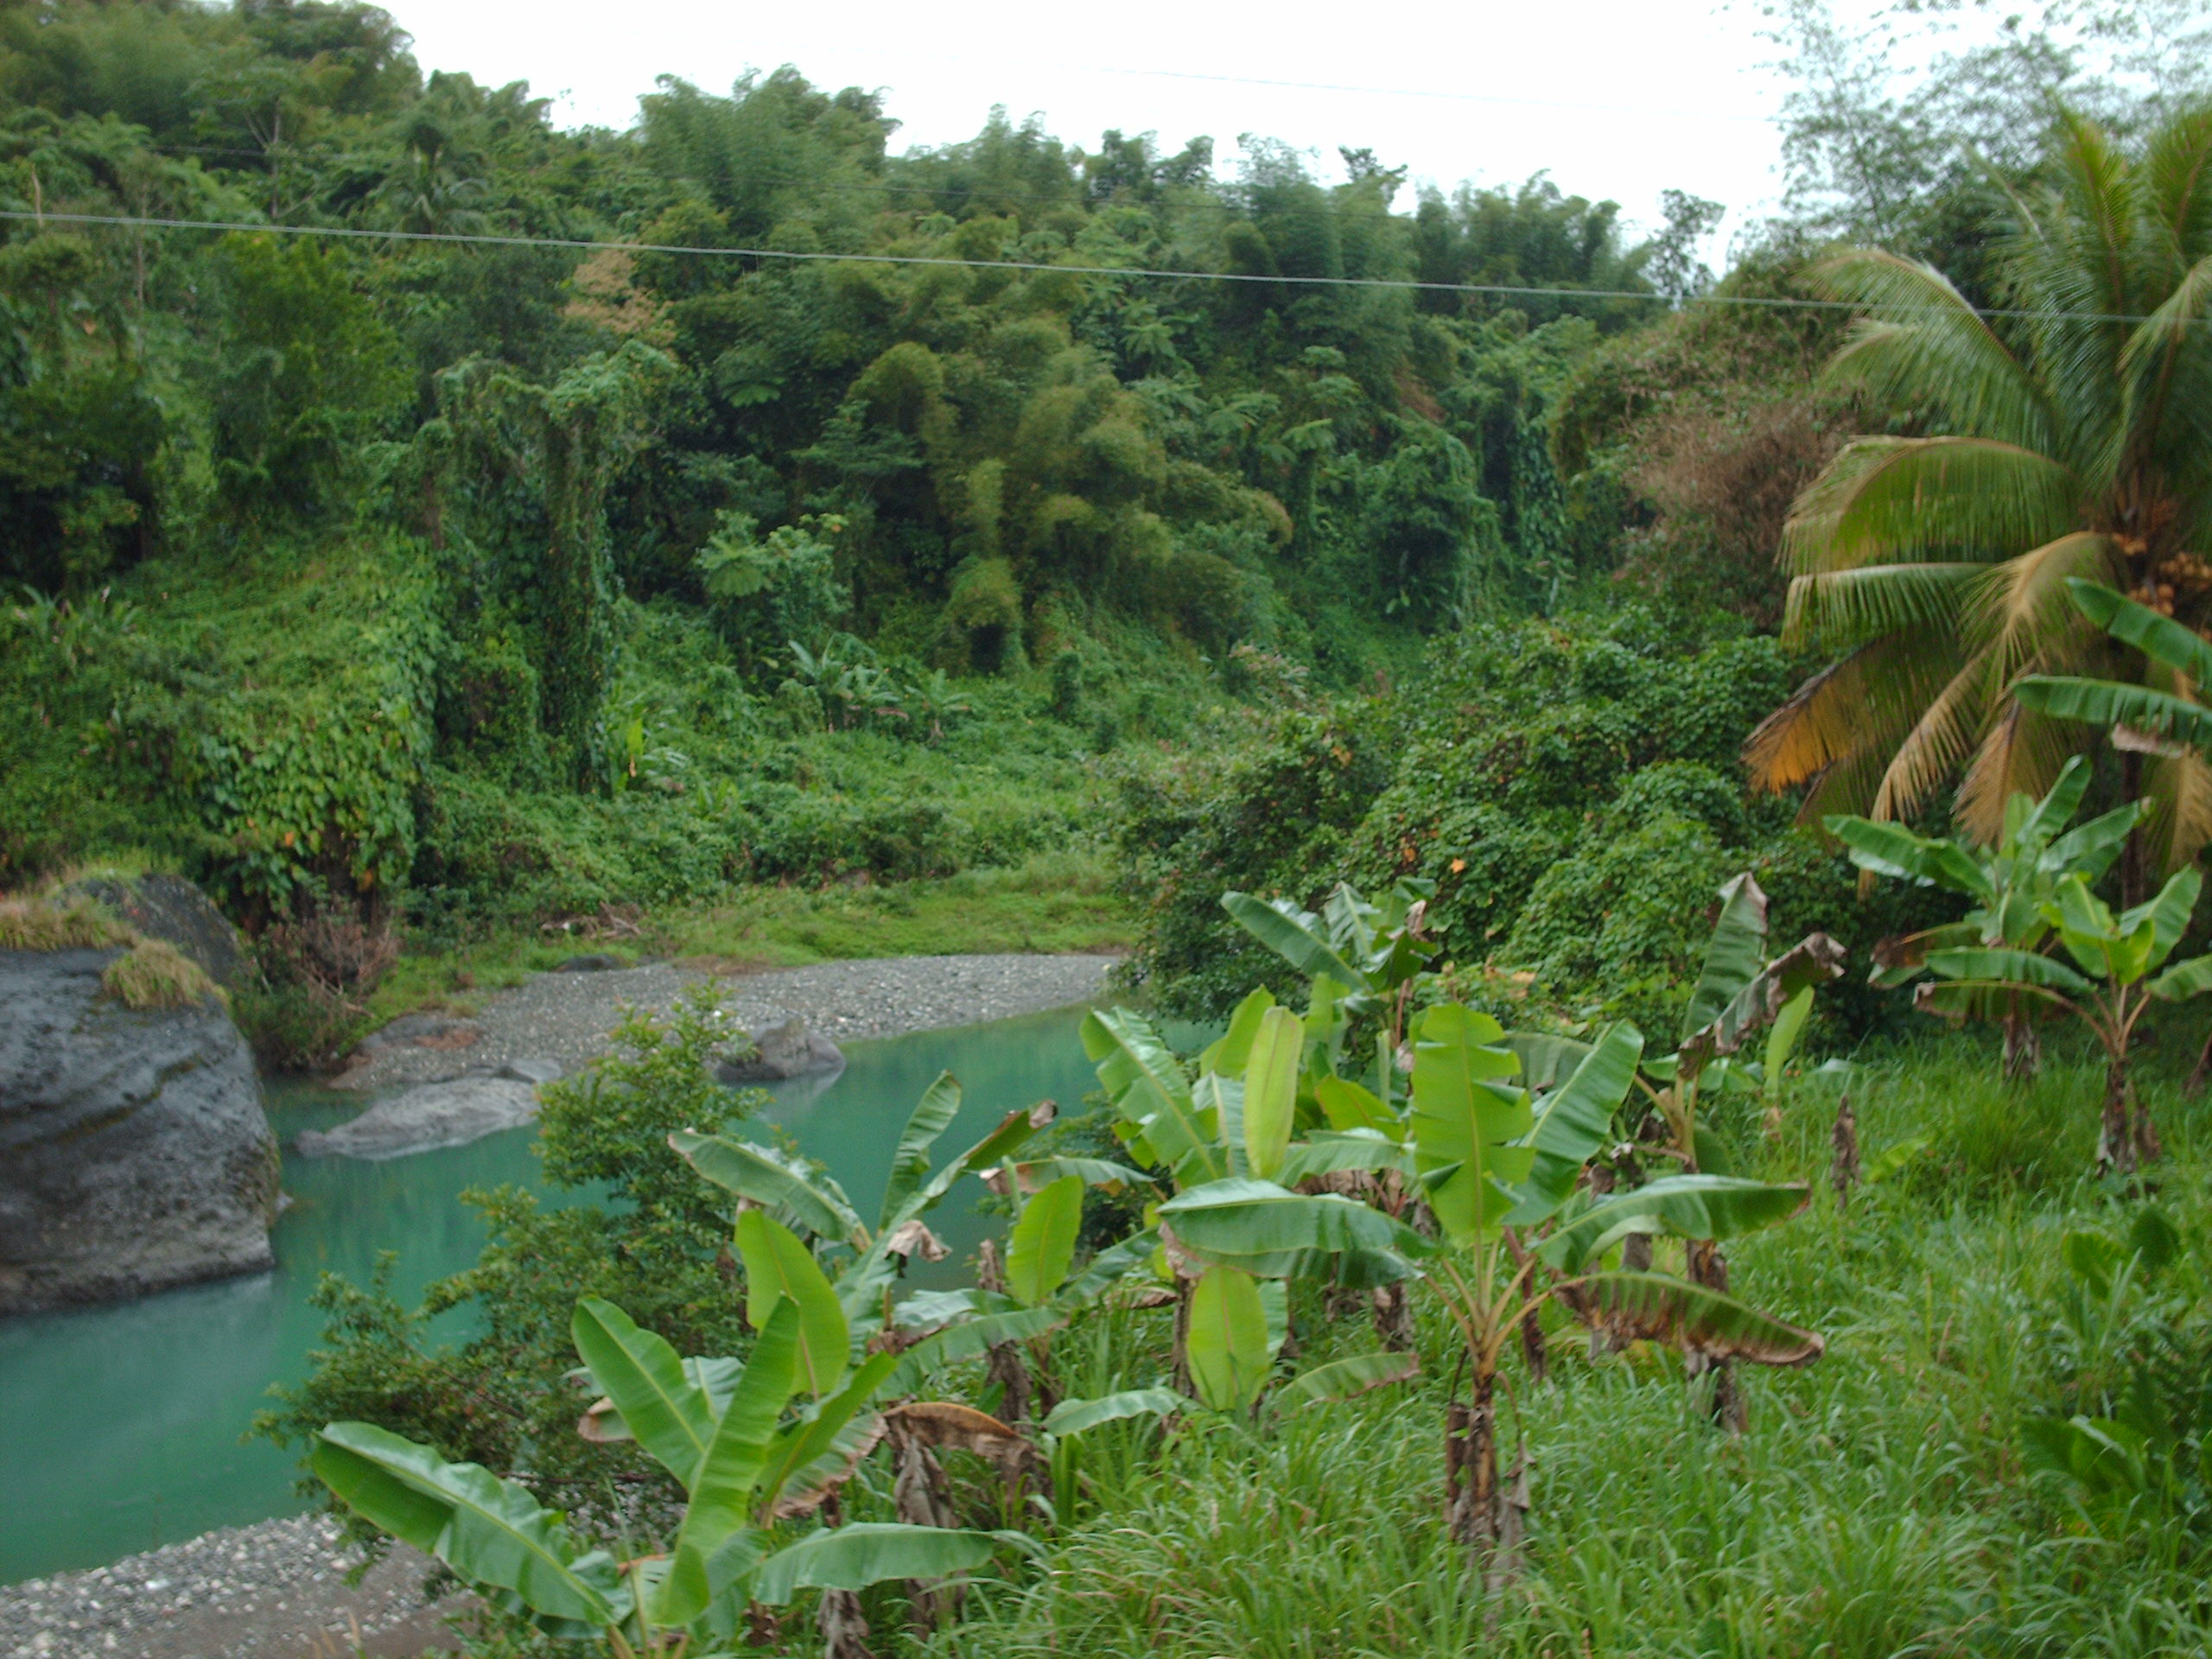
1503,1173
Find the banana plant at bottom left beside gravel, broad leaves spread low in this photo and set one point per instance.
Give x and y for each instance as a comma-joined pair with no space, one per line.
735,1459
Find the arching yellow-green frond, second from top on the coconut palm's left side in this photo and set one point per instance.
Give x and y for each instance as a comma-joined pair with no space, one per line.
1912,499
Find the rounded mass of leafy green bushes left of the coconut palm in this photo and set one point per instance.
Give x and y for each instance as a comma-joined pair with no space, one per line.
1572,786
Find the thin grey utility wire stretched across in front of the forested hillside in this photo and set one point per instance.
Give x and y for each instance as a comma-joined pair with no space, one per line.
1503,291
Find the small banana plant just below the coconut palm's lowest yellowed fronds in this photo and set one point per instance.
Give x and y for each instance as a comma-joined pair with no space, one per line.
2010,884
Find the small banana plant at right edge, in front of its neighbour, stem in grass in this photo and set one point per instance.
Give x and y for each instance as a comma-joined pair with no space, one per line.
2116,979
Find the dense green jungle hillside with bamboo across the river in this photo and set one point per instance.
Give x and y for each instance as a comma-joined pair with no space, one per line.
461,585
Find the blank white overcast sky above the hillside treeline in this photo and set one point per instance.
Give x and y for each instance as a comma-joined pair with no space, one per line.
1618,98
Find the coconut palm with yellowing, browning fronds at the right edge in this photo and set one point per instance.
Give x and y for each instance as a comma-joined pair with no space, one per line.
2072,439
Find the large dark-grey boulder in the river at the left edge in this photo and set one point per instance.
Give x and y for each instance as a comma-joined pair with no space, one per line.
134,1154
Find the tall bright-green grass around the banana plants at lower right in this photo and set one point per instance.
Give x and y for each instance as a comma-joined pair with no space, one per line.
1879,1505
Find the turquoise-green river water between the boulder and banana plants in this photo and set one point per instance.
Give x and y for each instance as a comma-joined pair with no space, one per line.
121,1428
